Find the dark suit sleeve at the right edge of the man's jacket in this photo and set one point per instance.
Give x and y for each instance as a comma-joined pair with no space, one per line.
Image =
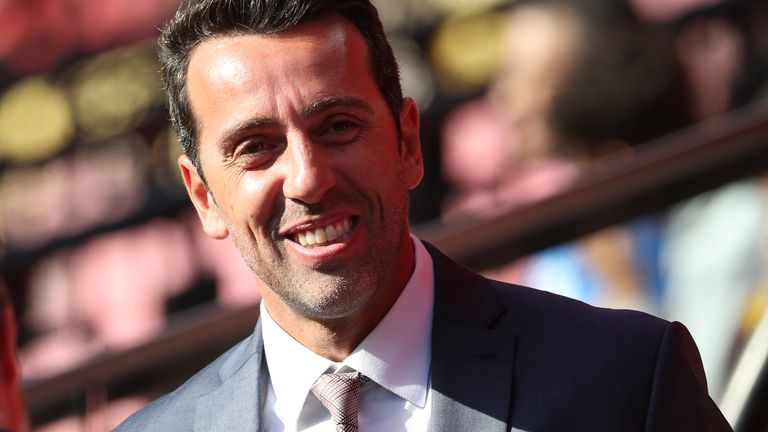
679,398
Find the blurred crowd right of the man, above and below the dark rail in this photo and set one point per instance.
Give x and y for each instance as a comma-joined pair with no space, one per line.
585,81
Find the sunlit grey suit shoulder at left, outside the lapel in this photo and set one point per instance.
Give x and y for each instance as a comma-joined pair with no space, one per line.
175,411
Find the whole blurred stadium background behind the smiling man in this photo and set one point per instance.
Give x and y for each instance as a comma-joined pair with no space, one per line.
613,151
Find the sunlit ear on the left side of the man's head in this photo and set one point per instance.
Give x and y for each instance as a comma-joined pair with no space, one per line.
207,209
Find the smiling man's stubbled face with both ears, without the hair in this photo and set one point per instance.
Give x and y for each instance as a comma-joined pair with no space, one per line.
304,165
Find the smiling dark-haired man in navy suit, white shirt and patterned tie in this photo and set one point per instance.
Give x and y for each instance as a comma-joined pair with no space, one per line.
299,145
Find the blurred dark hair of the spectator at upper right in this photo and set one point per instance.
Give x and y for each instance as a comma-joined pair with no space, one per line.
624,84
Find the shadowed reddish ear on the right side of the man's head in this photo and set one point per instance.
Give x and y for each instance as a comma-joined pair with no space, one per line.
410,144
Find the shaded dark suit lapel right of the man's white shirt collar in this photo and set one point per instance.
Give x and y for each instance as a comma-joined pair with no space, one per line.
472,360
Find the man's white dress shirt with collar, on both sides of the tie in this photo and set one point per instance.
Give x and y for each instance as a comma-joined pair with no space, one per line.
395,356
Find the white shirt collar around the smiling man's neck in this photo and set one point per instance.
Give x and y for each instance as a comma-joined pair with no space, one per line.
396,354
